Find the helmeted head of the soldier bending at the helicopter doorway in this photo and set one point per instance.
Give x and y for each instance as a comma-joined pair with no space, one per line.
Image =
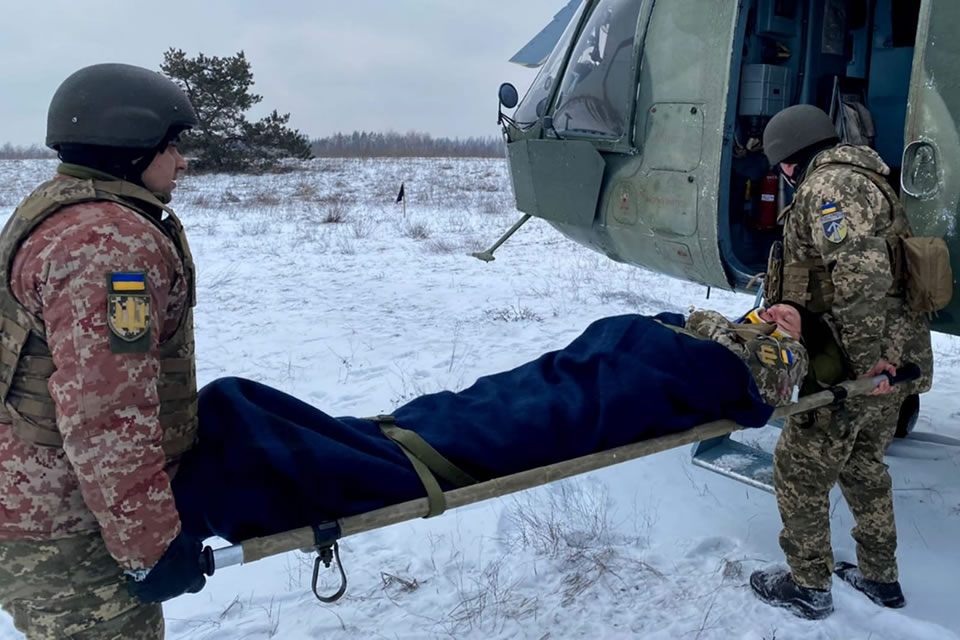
794,136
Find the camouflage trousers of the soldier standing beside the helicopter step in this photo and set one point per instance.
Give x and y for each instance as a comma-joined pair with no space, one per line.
816,451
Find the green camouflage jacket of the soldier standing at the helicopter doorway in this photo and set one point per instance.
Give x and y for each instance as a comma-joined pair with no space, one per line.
838,225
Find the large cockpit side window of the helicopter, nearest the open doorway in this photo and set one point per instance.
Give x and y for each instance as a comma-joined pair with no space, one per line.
597,88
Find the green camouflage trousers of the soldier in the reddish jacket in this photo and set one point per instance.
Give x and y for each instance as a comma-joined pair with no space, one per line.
71,588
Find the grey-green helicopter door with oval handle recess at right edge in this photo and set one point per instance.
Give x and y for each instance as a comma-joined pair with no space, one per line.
930,177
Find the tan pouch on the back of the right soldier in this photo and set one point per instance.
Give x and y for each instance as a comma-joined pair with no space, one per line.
927,273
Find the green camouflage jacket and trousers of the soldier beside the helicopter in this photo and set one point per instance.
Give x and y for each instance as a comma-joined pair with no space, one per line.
837,264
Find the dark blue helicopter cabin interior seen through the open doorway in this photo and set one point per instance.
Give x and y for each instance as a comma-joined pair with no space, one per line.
852,58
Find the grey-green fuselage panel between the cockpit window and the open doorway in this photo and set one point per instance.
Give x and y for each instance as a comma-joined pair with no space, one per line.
644,204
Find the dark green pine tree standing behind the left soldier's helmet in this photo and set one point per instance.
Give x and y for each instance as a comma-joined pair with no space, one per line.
219,89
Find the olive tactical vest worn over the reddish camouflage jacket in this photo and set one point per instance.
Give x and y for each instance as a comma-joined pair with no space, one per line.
26,364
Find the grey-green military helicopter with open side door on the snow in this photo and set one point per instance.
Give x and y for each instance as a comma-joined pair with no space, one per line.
640,136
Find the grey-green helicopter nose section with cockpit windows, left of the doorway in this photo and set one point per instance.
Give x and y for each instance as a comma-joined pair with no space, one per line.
619,139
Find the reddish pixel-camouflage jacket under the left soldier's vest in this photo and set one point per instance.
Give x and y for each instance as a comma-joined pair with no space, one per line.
110,472
